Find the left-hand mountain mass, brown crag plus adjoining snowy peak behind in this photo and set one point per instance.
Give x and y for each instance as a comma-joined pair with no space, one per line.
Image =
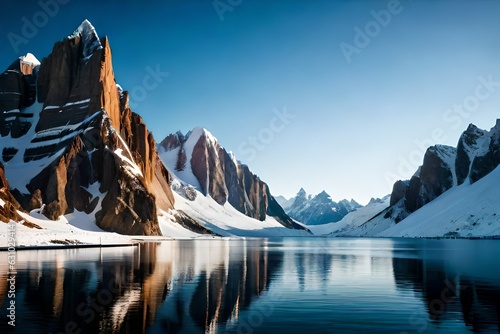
73,151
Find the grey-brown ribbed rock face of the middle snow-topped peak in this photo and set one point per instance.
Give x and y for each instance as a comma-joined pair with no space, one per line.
199,160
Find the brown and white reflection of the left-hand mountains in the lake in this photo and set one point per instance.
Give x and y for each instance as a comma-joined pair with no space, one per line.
170,287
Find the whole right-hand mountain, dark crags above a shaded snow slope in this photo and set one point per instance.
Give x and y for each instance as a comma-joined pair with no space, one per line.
454,193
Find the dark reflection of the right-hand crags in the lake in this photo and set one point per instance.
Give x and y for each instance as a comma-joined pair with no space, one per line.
449,294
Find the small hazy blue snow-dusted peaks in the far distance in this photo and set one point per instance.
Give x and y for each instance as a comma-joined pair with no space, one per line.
317,210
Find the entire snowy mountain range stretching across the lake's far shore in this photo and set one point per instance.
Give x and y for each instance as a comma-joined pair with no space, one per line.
71,148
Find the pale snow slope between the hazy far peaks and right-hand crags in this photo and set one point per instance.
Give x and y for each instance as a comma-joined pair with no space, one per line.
353,219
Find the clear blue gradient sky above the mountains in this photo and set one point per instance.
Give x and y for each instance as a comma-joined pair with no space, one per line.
341,96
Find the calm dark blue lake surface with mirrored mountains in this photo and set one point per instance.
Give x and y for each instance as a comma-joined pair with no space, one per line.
291,285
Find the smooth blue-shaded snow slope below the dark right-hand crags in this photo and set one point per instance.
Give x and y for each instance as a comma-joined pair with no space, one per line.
469,210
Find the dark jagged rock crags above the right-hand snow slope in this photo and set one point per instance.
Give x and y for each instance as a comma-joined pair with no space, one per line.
476,155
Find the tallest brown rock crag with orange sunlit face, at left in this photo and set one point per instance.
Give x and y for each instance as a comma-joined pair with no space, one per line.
82,132
